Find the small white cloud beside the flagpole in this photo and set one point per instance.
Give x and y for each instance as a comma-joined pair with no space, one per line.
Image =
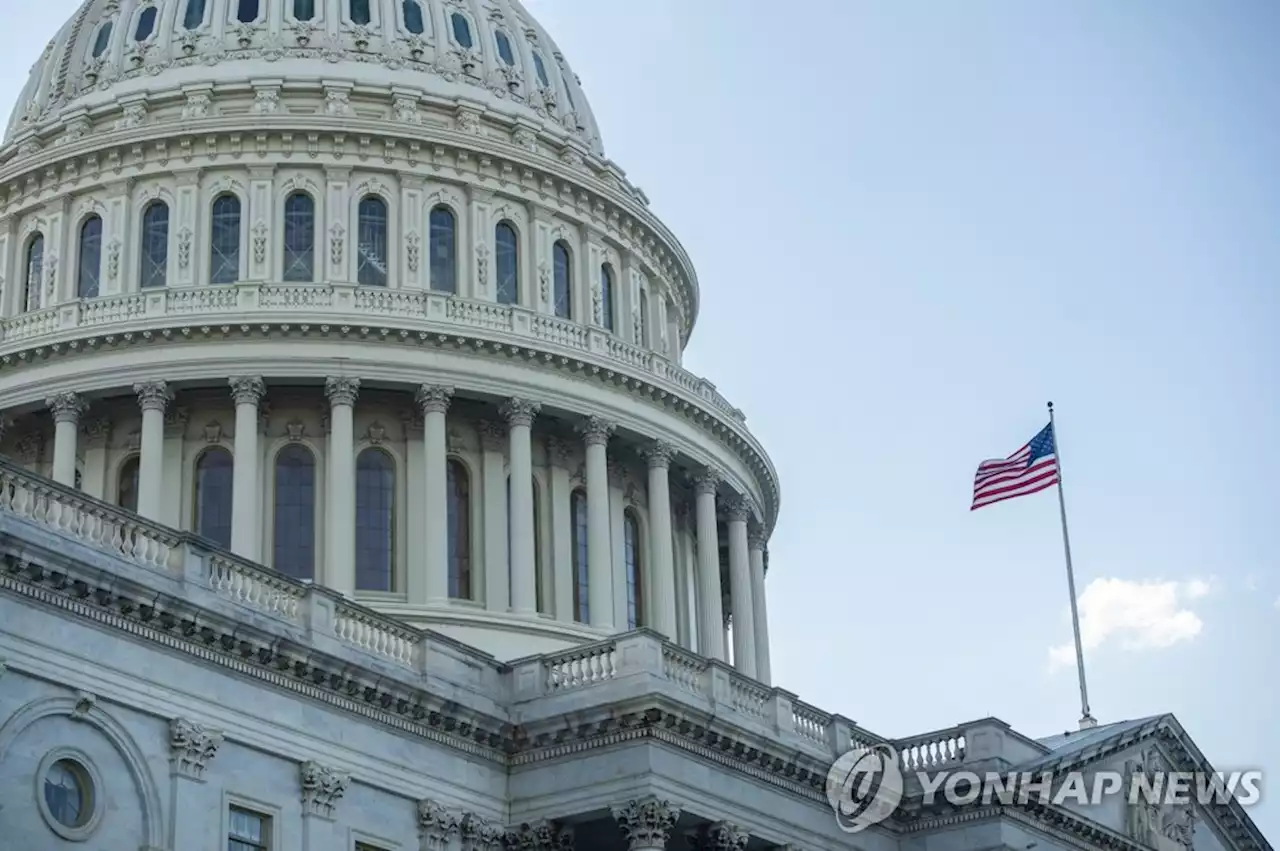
1135,616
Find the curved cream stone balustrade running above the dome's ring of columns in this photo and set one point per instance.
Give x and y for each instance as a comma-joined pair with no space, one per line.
328,305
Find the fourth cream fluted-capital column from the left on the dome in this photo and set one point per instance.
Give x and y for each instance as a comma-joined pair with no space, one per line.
341,472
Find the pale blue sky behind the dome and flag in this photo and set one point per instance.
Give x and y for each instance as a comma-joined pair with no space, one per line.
915,223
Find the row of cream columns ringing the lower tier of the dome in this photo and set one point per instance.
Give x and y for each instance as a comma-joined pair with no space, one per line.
746,546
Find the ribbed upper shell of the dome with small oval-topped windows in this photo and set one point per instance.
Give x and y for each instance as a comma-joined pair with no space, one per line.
490,54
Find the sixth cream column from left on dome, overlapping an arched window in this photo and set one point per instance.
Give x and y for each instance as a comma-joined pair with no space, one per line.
524,582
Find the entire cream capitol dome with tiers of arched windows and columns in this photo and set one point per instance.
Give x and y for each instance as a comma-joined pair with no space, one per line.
348,290
